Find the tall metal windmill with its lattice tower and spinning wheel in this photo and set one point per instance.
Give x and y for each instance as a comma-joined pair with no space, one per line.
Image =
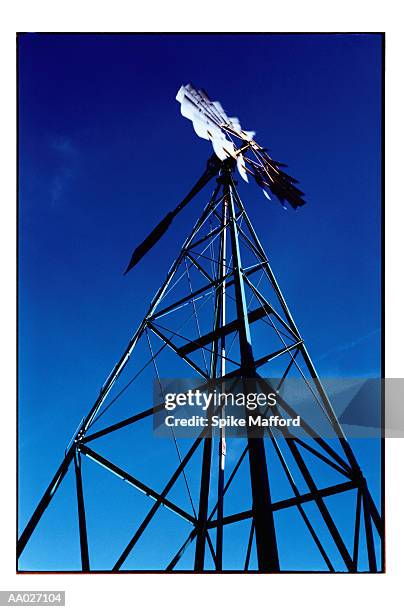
221,315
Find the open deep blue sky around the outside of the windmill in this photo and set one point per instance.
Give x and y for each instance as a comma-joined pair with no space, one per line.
104,153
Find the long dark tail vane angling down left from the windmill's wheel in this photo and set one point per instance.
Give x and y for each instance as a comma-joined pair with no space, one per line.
161,228
